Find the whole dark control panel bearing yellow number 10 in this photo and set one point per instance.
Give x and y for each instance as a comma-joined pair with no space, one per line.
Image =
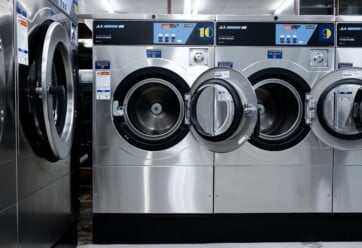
119,32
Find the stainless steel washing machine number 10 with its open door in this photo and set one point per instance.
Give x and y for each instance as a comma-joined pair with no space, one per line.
160,112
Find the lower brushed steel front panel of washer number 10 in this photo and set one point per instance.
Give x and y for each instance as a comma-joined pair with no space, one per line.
152,189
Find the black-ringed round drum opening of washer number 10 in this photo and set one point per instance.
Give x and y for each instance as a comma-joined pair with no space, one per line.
149,108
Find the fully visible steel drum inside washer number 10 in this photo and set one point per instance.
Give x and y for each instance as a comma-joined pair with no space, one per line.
154,109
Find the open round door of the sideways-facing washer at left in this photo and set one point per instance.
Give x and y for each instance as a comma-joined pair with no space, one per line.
50,99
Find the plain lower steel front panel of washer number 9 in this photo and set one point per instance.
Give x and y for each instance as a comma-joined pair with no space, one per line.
273,189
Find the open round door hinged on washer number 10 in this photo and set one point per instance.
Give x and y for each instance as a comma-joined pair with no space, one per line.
222,109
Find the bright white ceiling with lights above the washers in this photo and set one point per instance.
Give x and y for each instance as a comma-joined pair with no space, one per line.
177,6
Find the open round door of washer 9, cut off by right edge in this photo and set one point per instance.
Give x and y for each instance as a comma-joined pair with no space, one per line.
334,109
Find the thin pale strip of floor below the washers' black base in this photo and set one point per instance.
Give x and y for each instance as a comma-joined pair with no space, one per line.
245,245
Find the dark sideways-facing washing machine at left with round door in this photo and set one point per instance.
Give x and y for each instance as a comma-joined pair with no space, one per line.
45,79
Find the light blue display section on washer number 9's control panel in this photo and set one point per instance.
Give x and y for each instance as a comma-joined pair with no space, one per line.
294,34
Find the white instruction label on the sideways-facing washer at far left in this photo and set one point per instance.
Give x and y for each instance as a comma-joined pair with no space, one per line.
22,36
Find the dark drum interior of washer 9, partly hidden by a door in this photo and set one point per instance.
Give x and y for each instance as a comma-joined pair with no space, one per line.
280,108
